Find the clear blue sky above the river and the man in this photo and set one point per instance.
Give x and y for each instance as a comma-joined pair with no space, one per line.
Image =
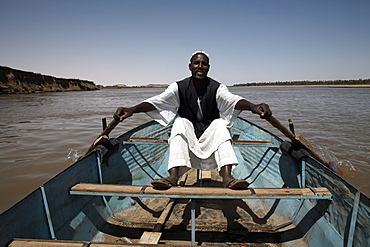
139,42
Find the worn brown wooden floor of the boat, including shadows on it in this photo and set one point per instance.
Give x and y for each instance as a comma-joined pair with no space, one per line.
215,222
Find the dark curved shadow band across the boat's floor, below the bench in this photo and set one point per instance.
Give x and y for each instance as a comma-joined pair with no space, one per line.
232,233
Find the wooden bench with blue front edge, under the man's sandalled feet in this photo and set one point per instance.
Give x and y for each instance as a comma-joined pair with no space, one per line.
199,192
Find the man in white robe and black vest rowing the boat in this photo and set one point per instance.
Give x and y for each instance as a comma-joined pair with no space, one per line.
199,137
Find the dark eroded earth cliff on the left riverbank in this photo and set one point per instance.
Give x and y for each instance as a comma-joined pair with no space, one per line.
18,81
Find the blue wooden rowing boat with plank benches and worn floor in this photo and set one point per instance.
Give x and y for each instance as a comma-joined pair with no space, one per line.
105,199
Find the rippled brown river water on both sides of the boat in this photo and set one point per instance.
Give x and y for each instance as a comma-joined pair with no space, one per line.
37,130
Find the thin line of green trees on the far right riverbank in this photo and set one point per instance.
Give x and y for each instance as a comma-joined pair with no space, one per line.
307,83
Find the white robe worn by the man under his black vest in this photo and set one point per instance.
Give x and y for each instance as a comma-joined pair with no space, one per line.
213,149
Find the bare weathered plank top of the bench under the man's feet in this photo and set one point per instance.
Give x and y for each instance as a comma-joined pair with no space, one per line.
191,191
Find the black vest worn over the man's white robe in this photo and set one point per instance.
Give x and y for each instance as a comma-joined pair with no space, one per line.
189,105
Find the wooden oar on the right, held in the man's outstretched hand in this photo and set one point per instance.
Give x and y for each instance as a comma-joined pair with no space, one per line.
299,139
